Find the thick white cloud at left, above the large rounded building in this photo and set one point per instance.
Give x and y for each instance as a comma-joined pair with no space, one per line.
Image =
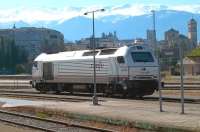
31,15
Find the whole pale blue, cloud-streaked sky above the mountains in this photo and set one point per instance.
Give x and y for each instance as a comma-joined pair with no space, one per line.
60,10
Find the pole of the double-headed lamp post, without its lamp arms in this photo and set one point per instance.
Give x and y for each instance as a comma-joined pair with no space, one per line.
95,98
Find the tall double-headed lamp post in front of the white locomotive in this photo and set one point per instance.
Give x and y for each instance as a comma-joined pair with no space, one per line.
94,98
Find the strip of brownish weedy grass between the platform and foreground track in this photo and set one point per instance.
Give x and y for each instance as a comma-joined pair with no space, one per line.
98,120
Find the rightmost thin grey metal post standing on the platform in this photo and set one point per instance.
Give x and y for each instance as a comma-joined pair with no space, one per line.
182,70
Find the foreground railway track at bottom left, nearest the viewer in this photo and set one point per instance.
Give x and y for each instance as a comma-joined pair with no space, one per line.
42,124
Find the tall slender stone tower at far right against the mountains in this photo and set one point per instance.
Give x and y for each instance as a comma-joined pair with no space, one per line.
192,32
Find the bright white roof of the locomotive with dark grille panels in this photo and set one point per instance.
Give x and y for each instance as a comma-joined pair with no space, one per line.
83,54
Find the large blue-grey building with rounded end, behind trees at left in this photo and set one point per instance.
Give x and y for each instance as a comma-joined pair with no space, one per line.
35,40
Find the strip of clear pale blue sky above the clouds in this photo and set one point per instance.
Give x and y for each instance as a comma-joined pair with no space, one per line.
86,3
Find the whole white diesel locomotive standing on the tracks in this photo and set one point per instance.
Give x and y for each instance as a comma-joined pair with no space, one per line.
129,70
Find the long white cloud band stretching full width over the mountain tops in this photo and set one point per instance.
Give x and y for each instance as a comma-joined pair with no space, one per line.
31,15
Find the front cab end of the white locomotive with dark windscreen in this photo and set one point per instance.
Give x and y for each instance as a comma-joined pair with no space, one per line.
142,71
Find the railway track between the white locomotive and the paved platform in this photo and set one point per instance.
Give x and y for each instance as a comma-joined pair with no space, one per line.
77,98
